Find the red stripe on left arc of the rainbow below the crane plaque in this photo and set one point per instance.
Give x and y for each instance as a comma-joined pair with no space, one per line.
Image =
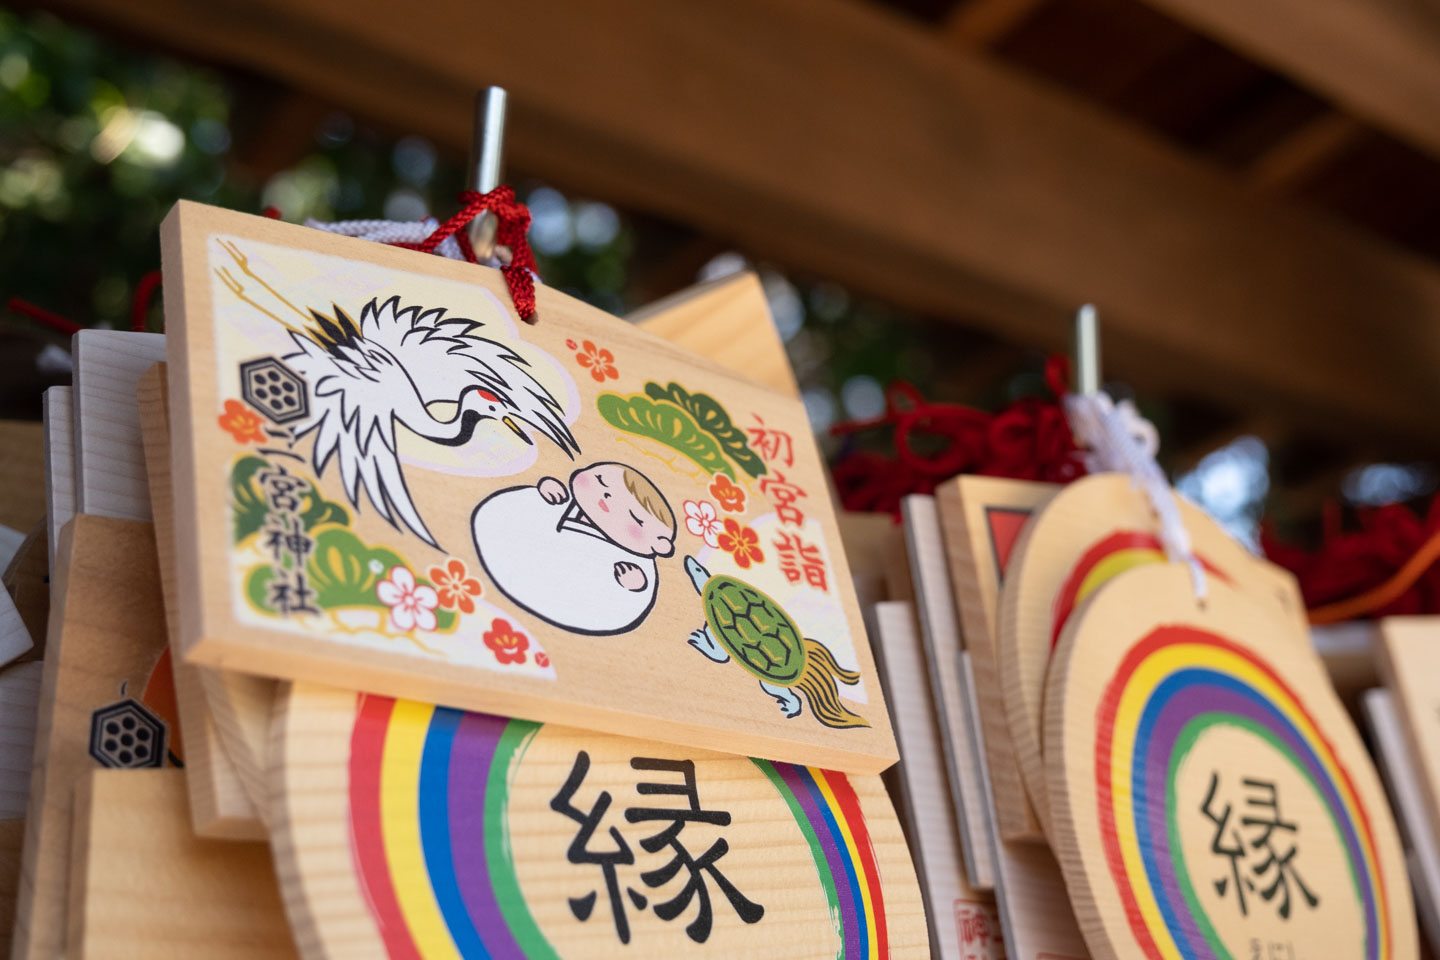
366,837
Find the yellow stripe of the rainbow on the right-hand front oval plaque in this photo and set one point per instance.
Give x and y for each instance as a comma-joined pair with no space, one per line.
1156,669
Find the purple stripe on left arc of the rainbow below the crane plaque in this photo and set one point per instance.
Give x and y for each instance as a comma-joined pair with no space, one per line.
472,756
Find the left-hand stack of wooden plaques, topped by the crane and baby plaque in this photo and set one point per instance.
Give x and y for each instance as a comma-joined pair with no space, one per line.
351,486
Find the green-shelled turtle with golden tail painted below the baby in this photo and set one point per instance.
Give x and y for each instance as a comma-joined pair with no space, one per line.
751,627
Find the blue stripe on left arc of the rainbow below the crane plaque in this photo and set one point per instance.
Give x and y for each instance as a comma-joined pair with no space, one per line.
436,840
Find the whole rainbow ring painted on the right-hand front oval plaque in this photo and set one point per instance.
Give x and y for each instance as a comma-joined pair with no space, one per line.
1171,687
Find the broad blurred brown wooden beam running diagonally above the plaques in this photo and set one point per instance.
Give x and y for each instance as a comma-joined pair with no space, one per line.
847,142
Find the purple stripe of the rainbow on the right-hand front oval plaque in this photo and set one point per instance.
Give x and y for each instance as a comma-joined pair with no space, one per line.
1222,699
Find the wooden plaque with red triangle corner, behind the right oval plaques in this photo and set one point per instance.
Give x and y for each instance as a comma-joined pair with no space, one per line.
983,519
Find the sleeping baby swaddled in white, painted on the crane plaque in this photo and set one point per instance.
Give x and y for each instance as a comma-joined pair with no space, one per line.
582,555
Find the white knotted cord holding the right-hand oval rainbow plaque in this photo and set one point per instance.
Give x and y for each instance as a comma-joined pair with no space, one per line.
1121,441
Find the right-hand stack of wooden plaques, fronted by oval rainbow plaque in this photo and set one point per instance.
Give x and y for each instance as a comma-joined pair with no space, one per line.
1105,758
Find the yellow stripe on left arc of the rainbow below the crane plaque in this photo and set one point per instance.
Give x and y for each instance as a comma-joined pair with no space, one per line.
401,824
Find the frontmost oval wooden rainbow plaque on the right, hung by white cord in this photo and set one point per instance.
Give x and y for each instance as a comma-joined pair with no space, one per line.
1210,795
